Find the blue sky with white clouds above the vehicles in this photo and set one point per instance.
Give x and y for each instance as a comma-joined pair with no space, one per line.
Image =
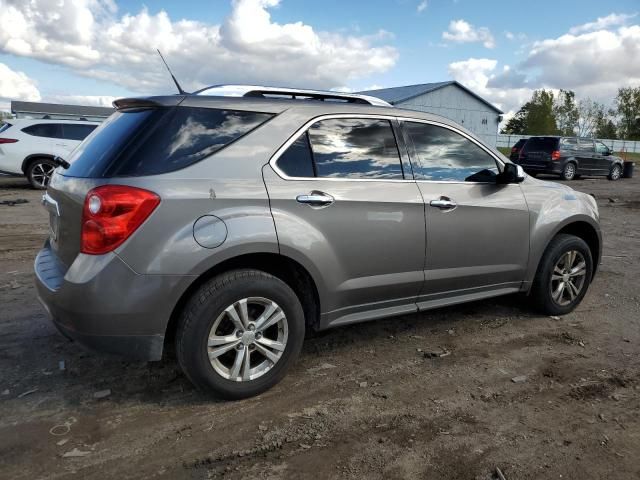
93,51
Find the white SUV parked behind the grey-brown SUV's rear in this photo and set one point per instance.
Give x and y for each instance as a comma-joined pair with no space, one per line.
28,147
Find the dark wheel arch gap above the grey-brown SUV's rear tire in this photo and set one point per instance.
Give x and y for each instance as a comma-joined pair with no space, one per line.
285,268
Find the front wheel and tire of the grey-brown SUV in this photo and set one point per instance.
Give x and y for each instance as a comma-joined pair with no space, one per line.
563,276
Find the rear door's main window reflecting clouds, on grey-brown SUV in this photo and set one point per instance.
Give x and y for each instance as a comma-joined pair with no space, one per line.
355,148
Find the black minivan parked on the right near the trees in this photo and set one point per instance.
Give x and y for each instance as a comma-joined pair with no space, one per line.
569,157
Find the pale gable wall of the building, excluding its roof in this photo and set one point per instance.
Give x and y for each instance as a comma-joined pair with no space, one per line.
456,104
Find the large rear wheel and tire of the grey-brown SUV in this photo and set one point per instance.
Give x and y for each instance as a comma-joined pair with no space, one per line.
239,333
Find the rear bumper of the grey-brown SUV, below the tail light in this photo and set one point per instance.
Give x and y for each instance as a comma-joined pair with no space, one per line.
103,304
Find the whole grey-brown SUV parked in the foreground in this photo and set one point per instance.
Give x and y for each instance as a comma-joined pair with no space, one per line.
232,224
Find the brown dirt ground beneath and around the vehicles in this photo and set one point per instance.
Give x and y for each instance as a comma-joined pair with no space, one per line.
362,402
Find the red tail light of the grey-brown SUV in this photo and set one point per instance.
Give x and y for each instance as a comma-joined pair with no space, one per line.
111,214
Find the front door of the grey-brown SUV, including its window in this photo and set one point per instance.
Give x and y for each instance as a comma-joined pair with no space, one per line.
477,230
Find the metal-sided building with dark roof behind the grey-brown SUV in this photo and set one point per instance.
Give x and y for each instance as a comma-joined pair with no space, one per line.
448,99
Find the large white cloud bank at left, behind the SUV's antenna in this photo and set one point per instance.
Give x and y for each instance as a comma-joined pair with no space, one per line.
247,47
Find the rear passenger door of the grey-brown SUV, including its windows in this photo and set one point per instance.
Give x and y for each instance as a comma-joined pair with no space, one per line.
347,208
